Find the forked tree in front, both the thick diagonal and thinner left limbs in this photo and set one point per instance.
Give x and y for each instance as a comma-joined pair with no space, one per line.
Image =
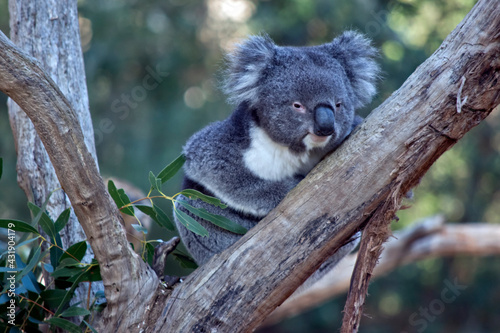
366,176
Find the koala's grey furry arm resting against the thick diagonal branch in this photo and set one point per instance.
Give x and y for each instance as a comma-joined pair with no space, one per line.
217,164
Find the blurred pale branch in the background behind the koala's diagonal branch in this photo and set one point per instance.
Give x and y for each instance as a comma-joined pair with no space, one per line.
426,239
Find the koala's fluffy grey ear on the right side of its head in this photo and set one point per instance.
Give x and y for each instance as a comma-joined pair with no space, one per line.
356,54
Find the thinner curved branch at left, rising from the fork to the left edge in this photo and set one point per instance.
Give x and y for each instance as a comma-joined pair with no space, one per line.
127,279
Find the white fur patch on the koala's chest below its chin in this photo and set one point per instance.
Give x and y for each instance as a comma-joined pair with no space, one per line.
272,161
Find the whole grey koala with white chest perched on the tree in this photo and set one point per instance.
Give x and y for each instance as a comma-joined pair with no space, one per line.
294,105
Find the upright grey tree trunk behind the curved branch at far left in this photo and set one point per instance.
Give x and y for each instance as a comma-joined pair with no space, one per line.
48,31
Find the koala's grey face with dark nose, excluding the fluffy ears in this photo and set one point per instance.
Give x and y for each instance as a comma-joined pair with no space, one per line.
304,102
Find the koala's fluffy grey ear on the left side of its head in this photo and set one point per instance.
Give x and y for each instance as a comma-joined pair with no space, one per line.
245,66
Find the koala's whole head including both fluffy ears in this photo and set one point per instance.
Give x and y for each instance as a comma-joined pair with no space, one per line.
303,97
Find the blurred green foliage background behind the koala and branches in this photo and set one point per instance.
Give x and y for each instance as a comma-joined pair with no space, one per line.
123,41
